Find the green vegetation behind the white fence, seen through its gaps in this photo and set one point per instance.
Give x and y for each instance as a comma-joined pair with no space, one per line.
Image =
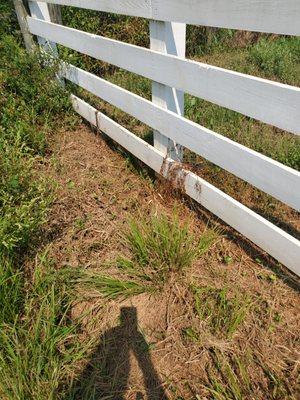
263,55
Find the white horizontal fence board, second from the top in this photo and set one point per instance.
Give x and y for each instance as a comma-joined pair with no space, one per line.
267,101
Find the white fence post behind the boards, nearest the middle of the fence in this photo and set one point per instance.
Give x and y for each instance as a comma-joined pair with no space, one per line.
170,38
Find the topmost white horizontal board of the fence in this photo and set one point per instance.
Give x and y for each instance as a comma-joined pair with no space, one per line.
273,16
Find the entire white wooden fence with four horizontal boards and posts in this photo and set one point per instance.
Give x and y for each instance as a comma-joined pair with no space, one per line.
172,74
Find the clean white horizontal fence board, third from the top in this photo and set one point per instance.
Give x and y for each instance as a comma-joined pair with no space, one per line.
266,174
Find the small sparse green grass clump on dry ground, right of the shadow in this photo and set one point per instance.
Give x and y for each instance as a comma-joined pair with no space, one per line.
222,313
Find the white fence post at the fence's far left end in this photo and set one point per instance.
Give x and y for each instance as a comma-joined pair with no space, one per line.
41,10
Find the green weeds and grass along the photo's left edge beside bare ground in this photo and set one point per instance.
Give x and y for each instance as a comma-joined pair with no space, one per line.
36,336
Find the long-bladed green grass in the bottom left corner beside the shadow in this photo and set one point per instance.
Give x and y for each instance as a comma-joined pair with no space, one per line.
39,350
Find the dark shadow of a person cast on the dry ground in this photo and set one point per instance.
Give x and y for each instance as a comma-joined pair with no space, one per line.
106,375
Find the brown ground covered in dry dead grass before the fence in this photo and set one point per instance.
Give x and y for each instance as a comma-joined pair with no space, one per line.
142,350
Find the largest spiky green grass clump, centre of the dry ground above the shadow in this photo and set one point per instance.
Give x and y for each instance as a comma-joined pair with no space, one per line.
162,245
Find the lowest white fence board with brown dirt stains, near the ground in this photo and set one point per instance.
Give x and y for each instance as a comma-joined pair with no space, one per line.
270,238
